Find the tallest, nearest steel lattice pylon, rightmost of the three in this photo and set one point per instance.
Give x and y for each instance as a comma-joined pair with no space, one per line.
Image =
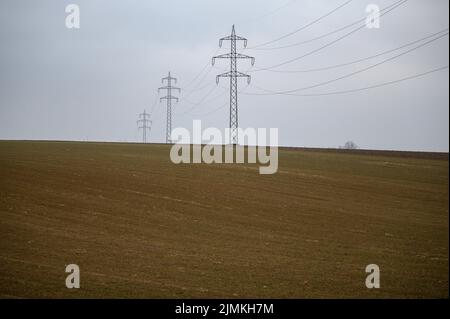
233,74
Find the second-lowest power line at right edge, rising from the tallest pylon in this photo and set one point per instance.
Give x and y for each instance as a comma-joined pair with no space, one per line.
270,92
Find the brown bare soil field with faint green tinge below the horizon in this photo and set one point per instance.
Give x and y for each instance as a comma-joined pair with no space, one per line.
140,226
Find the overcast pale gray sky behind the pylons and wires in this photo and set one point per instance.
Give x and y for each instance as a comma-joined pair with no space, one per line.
91,83
